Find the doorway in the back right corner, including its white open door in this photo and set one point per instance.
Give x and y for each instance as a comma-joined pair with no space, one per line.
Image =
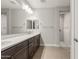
64,31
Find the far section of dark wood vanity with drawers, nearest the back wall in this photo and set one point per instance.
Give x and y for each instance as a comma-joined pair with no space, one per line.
34,44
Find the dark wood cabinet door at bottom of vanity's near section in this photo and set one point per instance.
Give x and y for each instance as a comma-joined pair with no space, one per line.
22,54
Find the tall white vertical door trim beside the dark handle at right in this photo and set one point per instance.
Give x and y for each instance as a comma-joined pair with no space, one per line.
72,28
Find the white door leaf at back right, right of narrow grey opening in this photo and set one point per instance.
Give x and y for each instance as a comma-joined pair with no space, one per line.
67,21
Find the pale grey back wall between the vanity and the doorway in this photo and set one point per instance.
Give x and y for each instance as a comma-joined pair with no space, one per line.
49,20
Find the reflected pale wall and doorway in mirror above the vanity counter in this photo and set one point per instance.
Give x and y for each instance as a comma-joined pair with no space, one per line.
13,21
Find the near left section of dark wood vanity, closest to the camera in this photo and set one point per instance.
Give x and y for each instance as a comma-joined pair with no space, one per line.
18,51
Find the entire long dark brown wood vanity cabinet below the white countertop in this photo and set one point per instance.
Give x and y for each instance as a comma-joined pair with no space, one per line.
23,50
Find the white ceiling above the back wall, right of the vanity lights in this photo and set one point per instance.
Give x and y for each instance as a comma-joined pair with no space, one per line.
49,3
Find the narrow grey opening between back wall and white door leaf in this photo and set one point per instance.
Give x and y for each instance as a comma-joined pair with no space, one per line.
61,29
